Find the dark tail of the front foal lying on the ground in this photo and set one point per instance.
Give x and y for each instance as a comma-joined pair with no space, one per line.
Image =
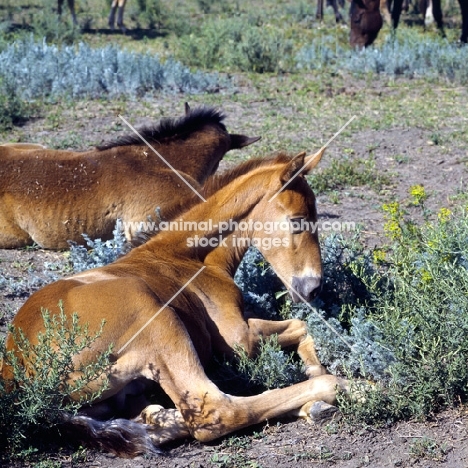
122,437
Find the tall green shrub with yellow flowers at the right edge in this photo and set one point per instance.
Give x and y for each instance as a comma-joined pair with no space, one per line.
420,303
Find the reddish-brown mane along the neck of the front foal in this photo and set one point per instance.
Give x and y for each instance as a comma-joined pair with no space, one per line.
212,185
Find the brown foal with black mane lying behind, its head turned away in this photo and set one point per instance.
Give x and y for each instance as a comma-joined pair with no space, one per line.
50,197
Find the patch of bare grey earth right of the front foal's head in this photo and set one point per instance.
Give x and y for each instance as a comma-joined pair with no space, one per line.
408,157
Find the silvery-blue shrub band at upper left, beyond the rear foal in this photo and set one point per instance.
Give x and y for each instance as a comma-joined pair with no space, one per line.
42,70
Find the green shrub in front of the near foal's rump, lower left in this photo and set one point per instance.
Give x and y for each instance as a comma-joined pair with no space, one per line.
35,402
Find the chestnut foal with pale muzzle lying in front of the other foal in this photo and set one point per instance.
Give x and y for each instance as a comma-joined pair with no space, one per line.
168,345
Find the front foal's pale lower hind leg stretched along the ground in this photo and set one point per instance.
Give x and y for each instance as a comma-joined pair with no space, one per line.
216,414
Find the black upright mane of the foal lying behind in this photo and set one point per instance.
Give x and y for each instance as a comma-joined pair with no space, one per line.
170,127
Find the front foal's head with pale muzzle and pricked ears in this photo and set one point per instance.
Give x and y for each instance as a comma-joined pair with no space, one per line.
288,238
